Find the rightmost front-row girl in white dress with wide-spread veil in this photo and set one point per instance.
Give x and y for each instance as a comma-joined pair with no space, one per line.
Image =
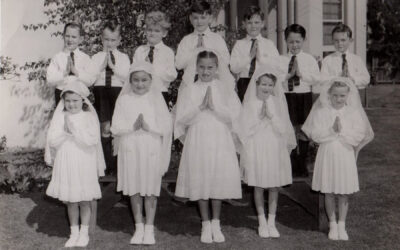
339,125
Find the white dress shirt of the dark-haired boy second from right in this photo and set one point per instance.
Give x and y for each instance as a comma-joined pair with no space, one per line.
309,70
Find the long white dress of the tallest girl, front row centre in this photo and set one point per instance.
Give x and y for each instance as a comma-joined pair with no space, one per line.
209,166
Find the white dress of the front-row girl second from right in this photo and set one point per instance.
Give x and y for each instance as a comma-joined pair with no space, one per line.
265,158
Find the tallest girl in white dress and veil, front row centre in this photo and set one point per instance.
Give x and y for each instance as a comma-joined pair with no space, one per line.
206,110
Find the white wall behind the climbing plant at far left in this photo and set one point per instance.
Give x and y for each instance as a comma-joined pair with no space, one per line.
24,106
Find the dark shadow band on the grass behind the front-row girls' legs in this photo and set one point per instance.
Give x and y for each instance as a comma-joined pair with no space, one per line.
49,216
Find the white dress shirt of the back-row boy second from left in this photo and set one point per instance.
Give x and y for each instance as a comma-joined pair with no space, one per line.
121,68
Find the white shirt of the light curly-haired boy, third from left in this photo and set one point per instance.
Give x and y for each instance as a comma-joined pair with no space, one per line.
163,63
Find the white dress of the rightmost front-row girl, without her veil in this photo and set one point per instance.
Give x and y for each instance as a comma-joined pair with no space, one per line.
335,165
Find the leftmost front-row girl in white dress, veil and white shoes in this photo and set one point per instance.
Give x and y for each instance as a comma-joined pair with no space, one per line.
74,150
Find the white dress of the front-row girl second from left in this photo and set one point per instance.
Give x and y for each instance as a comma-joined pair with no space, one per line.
139,152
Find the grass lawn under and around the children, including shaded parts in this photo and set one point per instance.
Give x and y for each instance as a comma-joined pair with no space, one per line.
34,221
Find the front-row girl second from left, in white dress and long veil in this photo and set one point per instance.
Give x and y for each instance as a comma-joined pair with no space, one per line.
143,127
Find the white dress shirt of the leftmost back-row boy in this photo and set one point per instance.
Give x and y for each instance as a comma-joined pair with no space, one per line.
58,65
